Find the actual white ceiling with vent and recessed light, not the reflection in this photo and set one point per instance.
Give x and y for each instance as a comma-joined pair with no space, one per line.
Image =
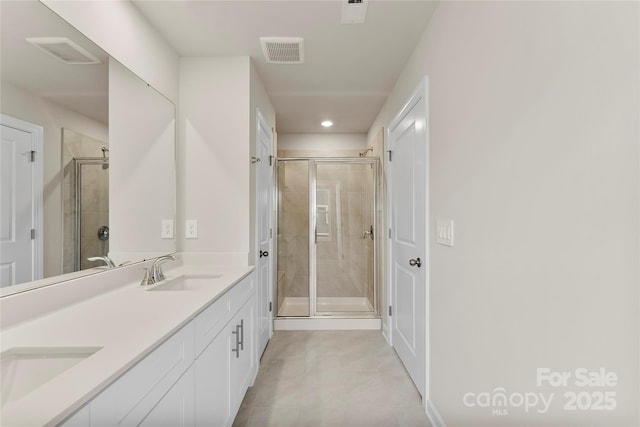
349,69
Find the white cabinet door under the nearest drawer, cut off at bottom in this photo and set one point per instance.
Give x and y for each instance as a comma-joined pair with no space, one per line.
177,407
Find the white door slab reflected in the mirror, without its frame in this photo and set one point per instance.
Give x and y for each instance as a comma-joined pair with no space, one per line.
16,207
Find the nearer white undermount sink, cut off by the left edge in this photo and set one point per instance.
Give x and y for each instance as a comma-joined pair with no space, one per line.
24,369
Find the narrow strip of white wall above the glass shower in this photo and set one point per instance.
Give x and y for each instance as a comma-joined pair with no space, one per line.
322,142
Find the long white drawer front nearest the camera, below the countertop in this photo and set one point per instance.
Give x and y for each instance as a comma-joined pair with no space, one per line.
136,392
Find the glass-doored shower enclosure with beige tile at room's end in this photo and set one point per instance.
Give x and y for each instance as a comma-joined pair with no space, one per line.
326,231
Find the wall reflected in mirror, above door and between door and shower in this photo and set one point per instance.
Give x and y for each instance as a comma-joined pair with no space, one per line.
52,117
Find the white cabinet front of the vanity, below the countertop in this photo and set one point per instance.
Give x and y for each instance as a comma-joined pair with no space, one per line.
197,377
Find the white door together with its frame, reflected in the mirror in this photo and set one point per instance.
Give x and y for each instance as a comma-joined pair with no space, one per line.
20,190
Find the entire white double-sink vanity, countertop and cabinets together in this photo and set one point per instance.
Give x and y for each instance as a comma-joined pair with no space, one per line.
181,352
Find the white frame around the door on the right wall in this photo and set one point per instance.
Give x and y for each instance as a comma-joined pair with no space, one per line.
421,92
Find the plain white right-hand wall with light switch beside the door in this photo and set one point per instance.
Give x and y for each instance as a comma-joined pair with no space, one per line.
534,154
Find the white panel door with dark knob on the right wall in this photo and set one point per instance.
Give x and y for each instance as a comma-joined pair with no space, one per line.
408,197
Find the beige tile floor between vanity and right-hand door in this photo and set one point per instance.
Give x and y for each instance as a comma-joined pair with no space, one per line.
331,379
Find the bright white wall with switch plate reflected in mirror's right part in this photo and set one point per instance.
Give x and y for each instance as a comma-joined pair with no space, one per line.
142,172
